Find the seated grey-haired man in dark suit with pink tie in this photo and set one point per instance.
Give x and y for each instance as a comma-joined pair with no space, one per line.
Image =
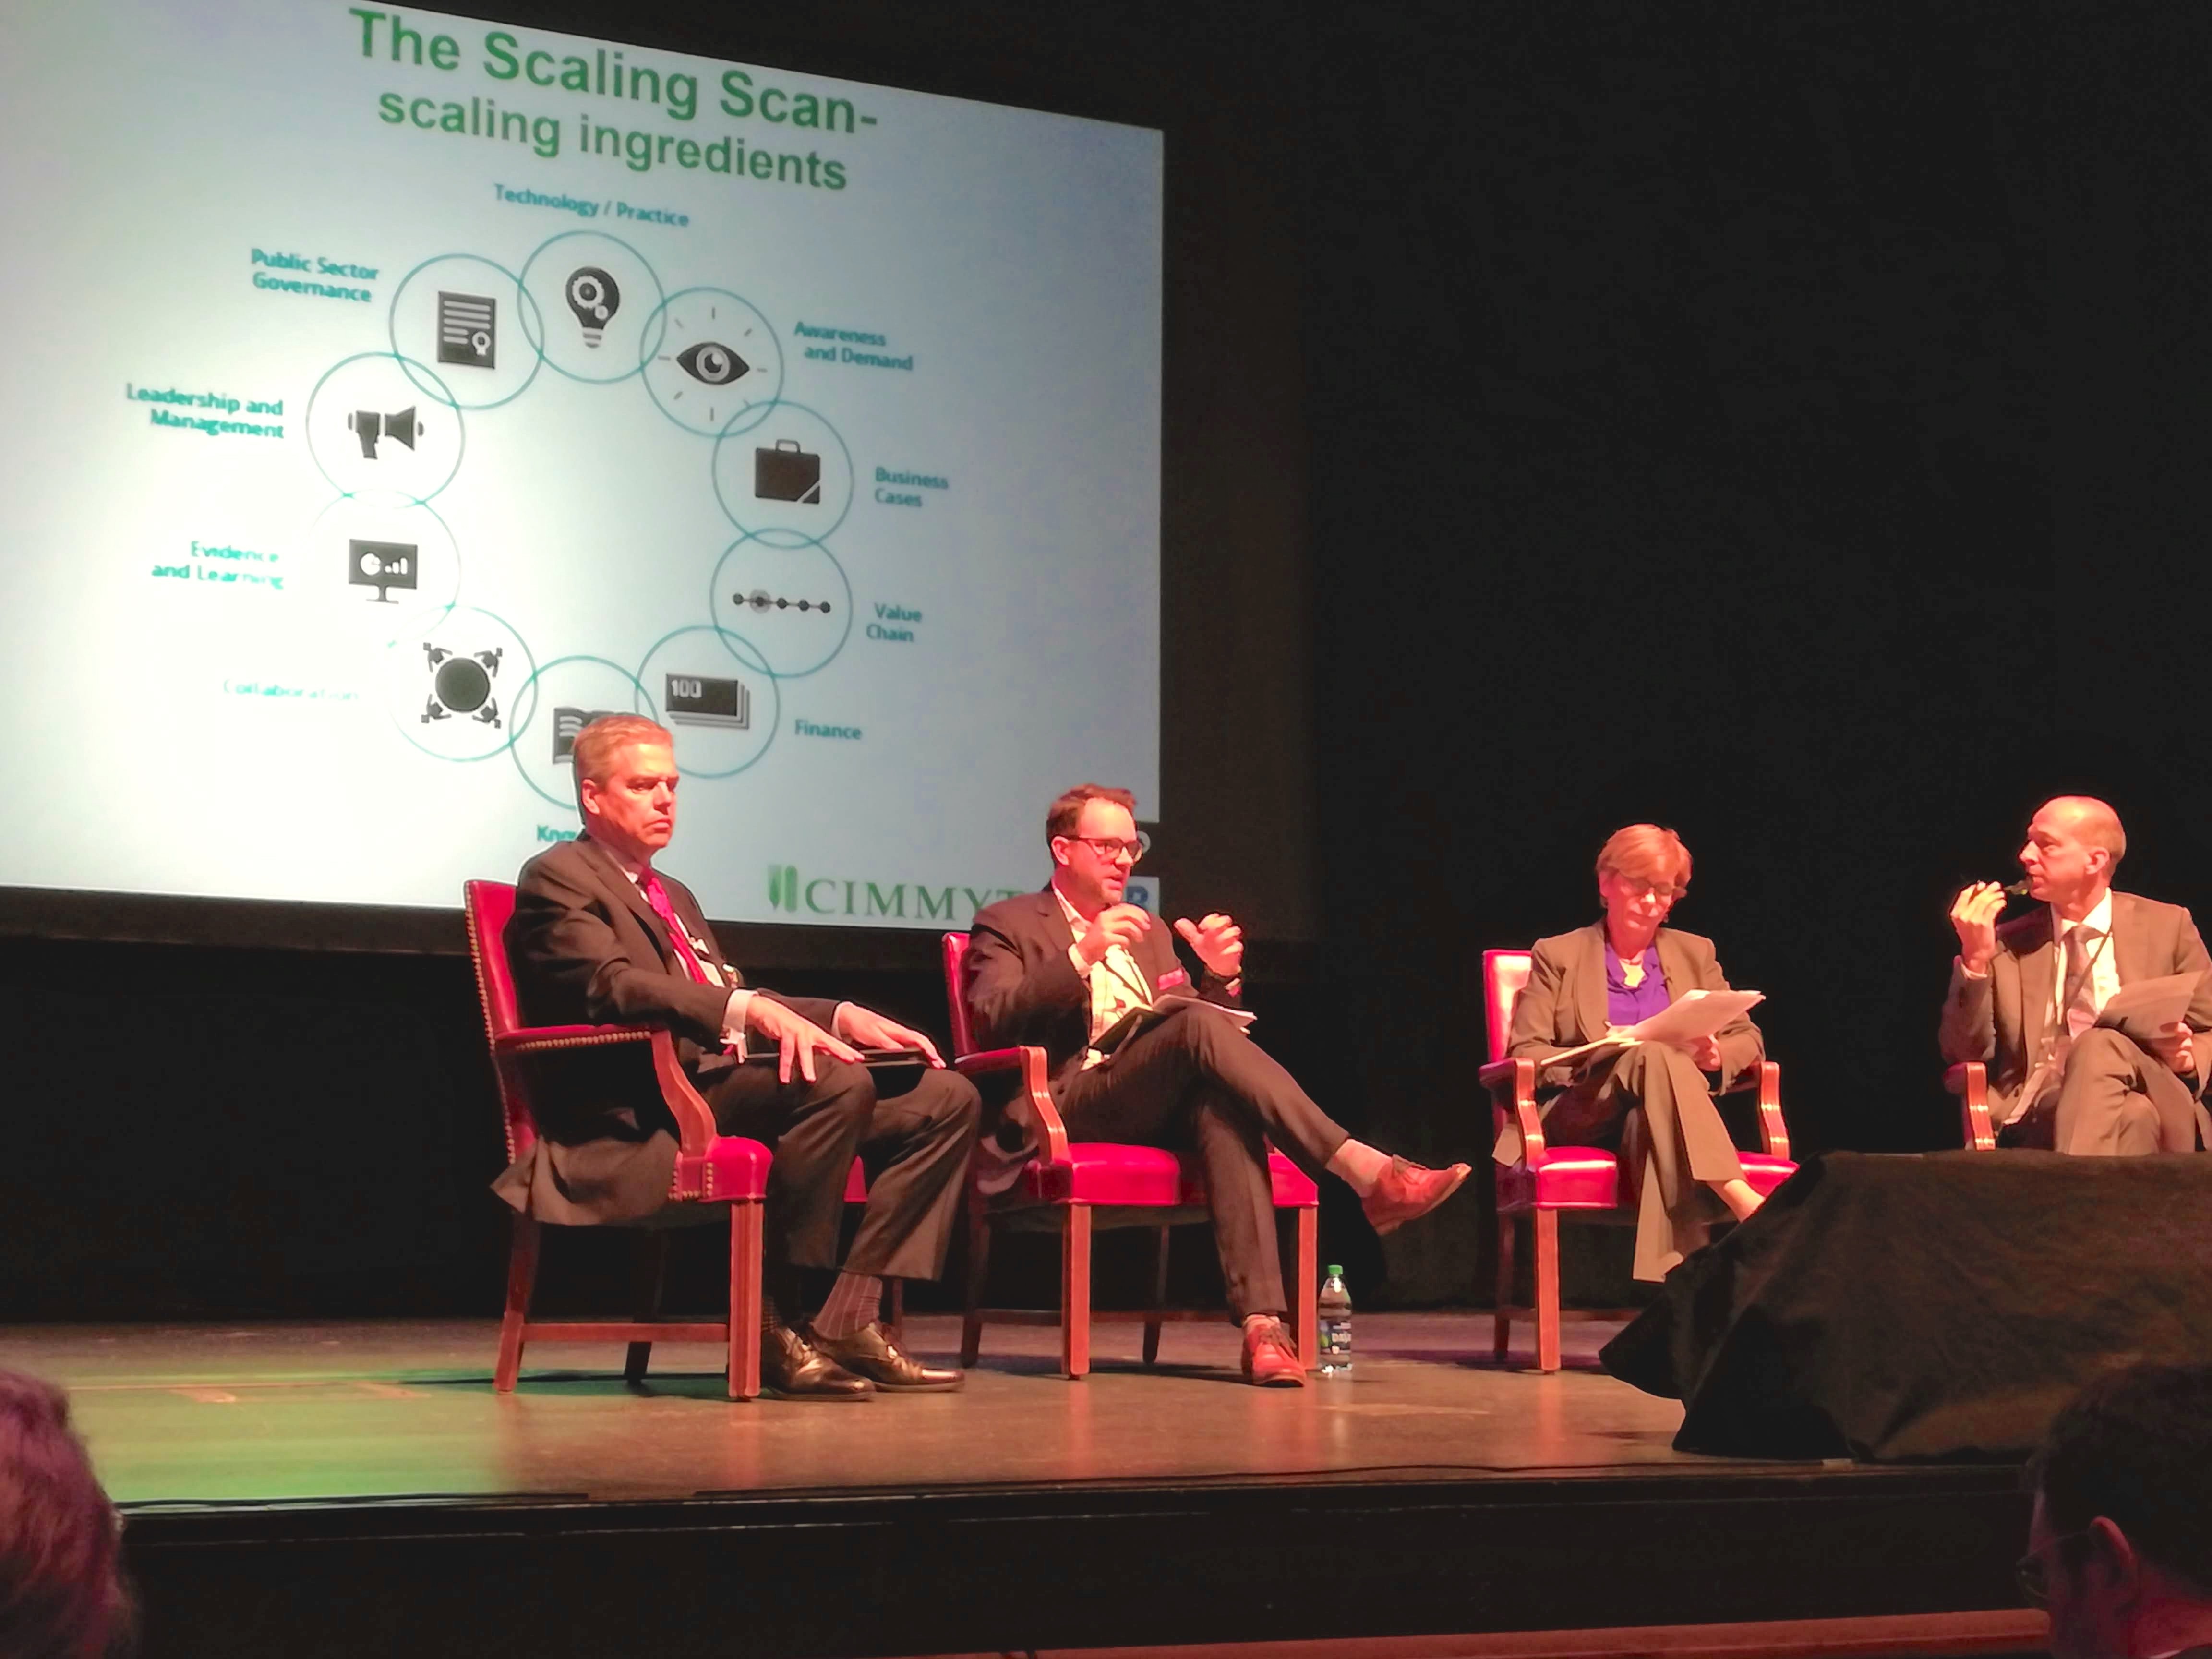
601,937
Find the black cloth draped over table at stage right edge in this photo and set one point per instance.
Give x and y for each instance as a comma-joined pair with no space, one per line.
1937,1306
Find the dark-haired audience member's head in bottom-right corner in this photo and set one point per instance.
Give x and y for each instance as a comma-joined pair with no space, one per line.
2120,1545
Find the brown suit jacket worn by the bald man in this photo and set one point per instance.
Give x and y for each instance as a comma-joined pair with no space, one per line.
2003,1016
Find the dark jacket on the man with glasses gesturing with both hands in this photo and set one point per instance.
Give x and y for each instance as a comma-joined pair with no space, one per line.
1023,990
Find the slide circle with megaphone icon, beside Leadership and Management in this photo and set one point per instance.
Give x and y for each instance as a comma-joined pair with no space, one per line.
373,437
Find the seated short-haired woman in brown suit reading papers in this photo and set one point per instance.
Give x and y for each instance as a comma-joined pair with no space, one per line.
1649,1103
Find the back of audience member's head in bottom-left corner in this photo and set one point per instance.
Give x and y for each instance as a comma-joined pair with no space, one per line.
61,1585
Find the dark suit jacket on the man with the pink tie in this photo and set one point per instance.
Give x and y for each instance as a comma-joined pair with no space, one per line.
587,950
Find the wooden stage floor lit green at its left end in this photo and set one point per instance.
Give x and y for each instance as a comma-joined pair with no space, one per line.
196,1415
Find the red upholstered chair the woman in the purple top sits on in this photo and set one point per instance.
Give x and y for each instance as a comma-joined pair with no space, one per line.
1572,1180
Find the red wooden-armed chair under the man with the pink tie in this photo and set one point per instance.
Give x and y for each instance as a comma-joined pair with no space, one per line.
711,1169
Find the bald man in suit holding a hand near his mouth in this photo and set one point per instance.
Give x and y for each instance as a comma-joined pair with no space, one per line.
2027,997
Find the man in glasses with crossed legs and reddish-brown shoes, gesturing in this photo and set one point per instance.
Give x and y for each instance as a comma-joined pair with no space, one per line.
1061,970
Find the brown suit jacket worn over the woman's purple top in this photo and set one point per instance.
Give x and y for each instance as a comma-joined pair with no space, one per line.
1565,1005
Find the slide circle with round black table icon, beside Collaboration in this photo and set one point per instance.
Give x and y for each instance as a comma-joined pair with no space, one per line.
459,682
